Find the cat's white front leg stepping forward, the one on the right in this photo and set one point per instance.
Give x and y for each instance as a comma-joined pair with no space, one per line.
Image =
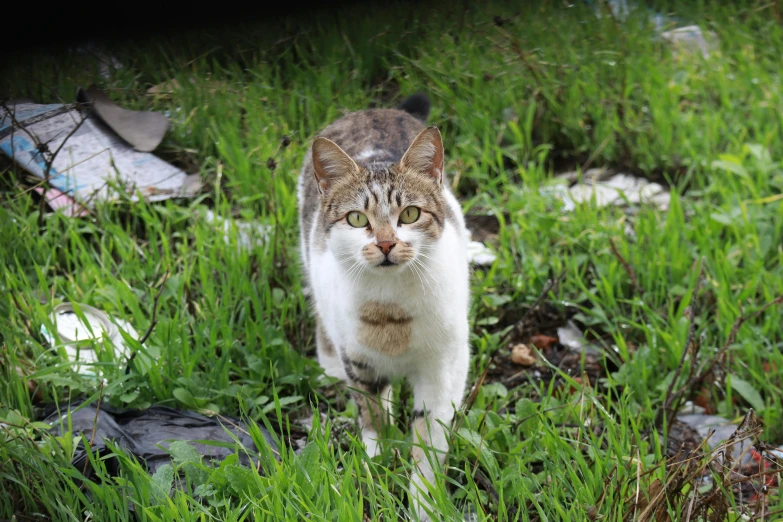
436,395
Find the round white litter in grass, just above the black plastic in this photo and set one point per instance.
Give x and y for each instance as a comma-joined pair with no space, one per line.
78,338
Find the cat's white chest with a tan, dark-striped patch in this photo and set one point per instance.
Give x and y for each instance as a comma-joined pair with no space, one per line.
395,322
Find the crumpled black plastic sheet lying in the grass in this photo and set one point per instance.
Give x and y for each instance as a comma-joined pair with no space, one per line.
147,434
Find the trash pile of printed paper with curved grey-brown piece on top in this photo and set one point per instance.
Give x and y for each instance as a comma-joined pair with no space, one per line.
91,150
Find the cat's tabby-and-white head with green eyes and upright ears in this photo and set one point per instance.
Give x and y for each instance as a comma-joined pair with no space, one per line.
384,216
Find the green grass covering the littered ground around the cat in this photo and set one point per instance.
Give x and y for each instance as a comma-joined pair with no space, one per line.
518,92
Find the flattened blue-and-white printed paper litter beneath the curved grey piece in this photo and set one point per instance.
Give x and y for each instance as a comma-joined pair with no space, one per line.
91,159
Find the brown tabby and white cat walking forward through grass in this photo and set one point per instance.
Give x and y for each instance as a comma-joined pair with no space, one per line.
384,253
